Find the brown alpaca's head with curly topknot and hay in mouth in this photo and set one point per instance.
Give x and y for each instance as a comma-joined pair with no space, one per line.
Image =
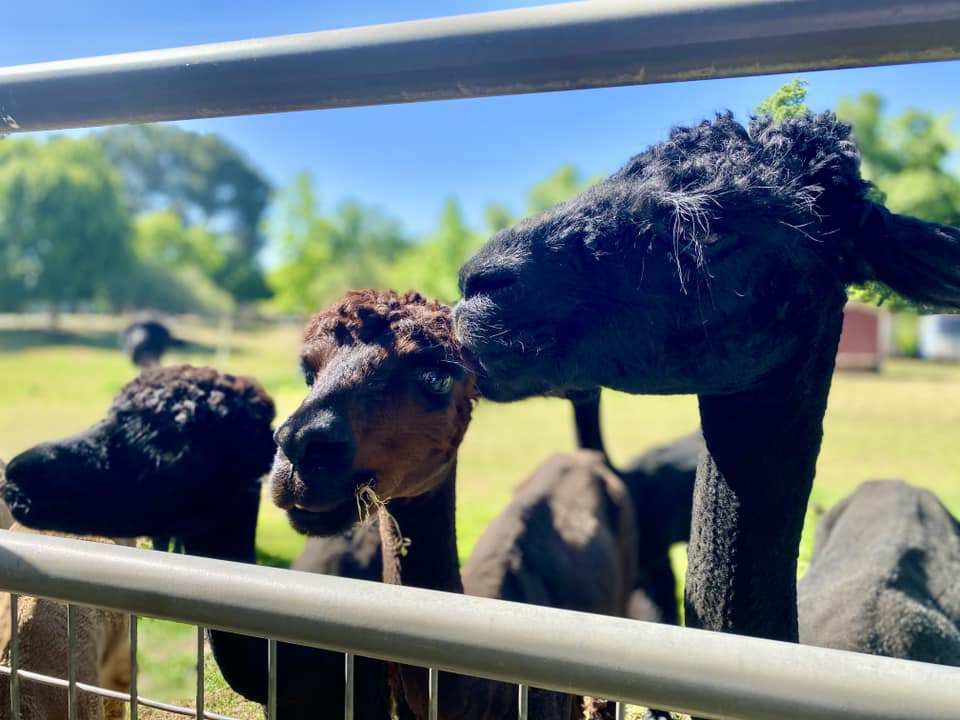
387,405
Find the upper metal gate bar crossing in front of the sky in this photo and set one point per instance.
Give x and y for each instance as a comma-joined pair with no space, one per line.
557,47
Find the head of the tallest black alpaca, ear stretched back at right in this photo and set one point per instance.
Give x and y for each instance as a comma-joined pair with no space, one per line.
705,265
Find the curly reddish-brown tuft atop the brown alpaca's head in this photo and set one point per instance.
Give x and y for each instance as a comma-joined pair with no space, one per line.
405,324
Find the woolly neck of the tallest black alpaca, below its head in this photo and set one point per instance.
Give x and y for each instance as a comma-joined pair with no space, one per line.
751,497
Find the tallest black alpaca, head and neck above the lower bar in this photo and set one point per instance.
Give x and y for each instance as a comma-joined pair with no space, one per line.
714,263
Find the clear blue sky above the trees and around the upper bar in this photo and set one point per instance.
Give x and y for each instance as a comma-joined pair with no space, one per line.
406,159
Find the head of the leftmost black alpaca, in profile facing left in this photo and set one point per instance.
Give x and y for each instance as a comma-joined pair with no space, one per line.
180,446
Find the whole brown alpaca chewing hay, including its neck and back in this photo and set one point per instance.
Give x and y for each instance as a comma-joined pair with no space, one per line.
388,406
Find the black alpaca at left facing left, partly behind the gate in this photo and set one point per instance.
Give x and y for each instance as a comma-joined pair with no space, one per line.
181,454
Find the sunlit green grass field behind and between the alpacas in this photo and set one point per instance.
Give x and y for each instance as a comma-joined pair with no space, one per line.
901,423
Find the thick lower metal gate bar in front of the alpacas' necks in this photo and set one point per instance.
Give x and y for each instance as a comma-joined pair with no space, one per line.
702,673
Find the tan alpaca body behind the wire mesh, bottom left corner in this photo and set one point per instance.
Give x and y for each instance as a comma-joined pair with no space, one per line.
103,653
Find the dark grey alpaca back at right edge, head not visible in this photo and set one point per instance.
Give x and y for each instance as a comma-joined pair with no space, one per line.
885,576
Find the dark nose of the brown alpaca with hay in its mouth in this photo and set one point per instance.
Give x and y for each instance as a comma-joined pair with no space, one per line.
321,442
